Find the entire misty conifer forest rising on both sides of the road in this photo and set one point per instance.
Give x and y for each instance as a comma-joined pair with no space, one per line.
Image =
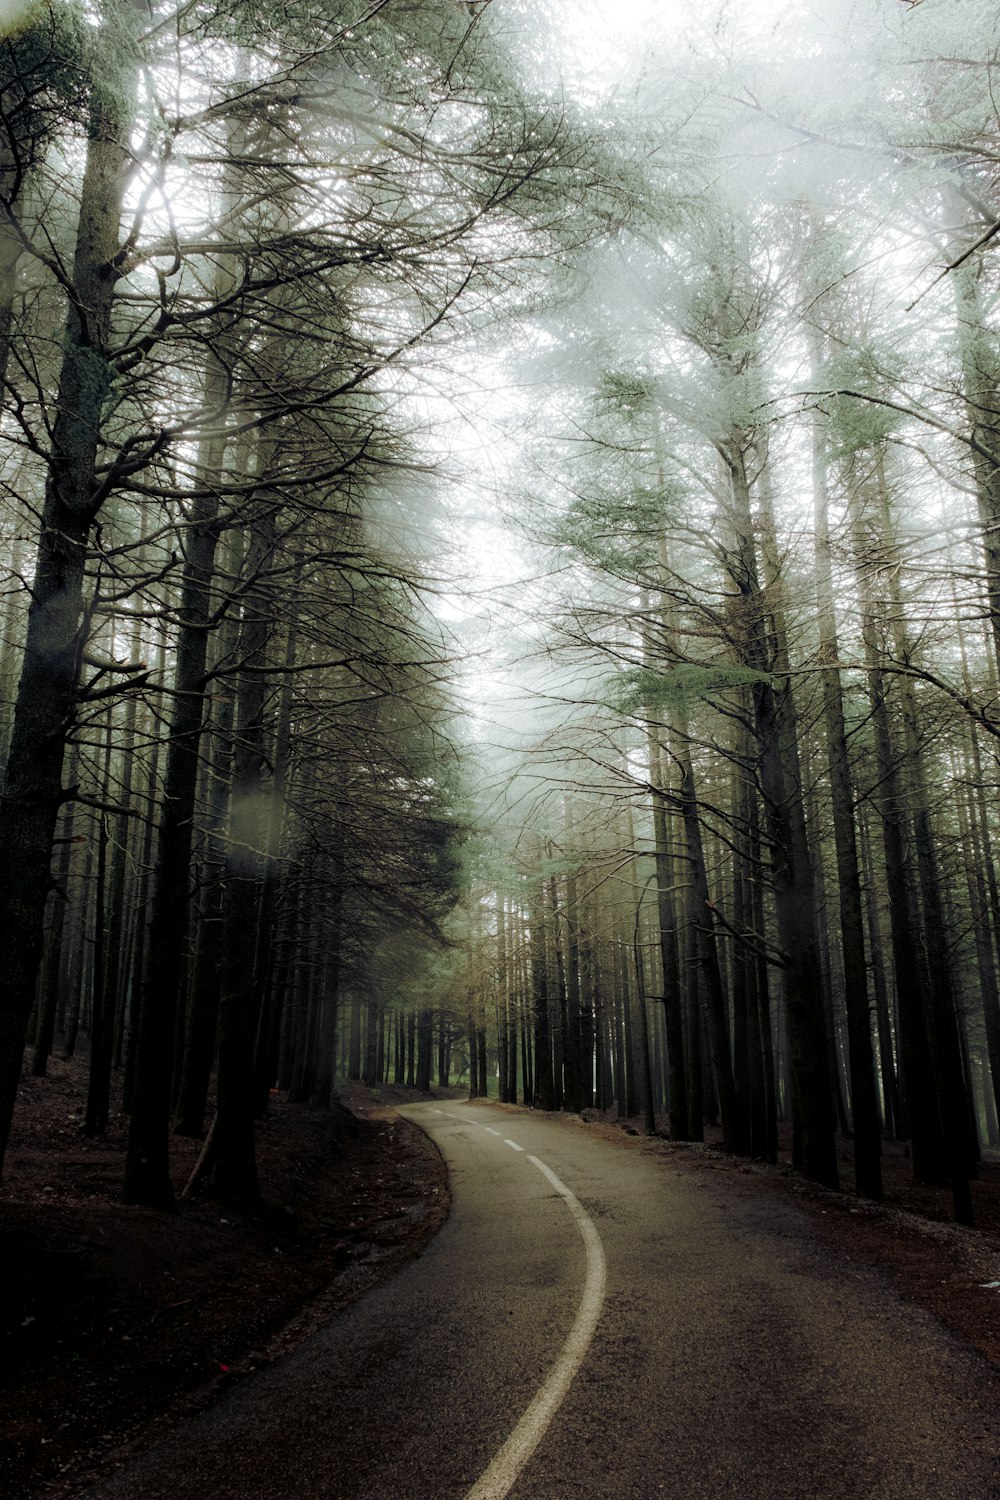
500,574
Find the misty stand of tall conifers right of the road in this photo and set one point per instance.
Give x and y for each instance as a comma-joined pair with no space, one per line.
770,563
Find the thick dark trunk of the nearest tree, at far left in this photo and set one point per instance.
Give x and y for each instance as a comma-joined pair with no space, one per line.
47,694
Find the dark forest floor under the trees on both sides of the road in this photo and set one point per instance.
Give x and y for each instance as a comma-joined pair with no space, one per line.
118,1322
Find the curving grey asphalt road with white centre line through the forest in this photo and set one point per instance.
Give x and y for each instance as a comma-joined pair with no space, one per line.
719,1351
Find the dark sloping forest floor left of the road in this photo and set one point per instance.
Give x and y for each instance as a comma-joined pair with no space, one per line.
113,1318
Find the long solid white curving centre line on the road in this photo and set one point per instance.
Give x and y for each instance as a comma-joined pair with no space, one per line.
504,1471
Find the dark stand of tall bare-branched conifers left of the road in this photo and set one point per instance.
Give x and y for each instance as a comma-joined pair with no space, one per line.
233,245
